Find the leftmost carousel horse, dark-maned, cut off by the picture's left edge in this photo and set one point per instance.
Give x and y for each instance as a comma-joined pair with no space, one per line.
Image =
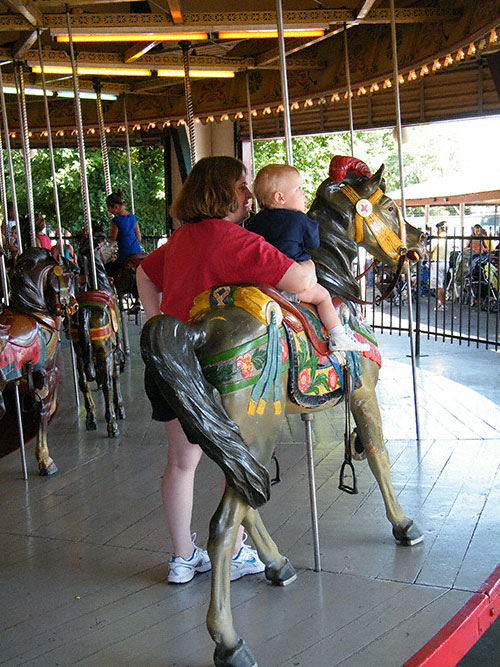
42,292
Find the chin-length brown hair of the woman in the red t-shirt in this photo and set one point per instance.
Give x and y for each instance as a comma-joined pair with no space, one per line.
209,191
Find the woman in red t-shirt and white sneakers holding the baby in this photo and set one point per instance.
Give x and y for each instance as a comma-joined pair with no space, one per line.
209,248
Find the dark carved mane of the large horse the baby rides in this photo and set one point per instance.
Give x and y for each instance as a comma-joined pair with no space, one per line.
334,257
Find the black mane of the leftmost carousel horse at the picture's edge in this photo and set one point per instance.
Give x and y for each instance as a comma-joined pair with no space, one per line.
27,280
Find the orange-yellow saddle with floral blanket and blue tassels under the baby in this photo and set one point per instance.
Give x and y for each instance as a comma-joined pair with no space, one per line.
292,342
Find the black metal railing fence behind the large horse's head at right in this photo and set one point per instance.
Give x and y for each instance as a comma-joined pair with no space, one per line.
470,287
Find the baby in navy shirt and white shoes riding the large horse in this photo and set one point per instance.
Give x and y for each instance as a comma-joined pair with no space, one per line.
282,222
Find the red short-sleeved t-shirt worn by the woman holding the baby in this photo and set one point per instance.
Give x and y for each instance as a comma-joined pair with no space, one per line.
212,252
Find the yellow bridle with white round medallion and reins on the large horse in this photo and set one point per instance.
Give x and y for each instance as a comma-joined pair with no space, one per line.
393,246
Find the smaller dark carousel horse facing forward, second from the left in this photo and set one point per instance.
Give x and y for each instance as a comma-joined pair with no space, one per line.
96,335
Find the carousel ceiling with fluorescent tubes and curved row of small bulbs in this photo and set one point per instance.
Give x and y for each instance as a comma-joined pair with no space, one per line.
137,52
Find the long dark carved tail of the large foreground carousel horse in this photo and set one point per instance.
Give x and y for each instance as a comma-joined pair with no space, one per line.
168,349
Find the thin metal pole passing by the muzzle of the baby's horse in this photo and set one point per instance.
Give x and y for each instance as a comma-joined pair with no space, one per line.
403,207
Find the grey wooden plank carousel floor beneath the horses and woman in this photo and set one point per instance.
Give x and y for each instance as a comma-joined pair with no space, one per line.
84,554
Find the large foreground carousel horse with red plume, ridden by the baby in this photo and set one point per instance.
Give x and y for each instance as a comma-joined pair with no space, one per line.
248,355
